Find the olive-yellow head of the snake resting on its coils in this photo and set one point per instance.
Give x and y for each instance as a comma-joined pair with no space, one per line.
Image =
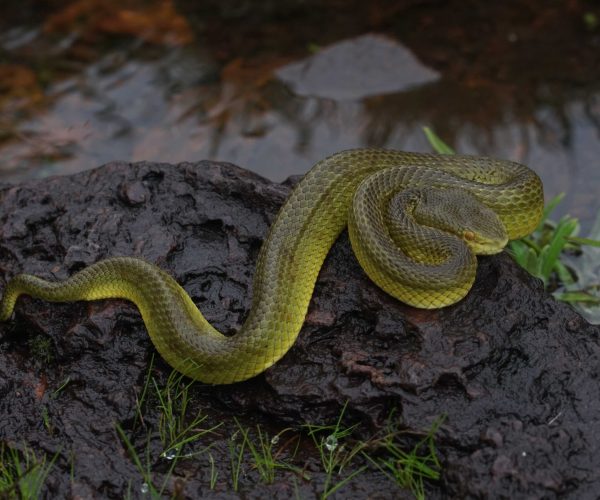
462,214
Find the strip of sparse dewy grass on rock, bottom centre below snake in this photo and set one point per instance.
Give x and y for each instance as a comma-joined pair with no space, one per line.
249,454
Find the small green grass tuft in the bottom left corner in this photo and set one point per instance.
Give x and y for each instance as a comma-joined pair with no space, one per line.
22,473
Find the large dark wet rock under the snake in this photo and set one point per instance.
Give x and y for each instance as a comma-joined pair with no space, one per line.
516,373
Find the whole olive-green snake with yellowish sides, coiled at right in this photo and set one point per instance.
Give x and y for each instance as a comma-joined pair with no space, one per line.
414,220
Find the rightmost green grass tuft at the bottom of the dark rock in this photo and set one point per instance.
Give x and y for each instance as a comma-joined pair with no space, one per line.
408,469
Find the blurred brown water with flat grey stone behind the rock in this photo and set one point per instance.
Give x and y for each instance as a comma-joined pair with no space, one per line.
274,86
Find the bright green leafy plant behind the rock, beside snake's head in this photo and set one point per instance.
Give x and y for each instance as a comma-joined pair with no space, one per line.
543,252
